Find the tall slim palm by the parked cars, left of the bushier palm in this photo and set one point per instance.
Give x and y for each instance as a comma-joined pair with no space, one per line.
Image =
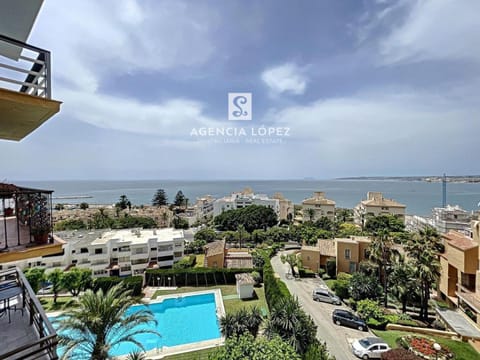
381,252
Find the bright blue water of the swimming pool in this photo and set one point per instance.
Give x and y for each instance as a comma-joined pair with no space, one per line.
181,320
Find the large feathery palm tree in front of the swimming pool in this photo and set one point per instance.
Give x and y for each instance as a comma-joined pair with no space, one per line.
100,322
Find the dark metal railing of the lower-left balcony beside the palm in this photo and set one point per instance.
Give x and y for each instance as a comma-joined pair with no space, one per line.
46,345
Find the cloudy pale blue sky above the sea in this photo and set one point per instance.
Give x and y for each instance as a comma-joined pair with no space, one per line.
347,88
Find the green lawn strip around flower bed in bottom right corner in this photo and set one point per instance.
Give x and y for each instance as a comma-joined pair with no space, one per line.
462,350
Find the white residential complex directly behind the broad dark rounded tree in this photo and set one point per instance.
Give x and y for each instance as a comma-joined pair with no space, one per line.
282,207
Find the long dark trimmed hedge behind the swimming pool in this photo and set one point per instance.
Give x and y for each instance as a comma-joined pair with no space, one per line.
193,276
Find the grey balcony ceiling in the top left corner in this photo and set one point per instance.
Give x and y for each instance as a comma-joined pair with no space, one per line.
16,21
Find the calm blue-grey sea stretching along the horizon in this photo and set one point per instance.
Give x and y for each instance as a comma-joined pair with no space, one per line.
420,197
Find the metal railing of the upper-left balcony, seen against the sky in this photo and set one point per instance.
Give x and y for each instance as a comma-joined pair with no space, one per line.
30,73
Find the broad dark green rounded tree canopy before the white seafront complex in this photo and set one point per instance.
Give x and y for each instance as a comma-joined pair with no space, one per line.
251,217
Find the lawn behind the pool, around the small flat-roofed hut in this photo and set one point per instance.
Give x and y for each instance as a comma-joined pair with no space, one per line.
231,304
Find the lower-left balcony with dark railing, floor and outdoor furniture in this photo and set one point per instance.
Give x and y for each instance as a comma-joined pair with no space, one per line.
25,330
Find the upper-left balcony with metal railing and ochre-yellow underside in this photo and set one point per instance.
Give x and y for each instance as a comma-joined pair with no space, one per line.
25,88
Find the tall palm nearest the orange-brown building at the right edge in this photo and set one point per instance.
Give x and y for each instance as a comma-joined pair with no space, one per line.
423,248
